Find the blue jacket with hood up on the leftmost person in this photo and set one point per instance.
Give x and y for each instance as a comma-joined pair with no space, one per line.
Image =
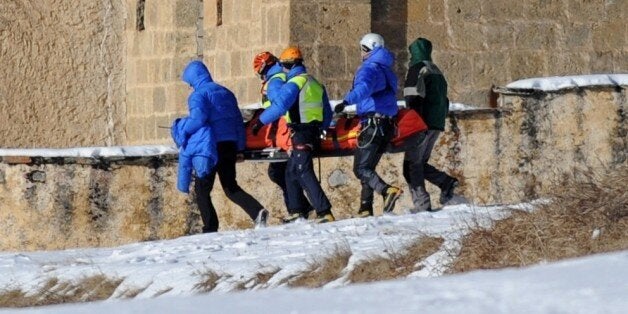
221,106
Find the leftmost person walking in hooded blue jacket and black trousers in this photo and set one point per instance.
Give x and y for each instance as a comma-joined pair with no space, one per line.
216,107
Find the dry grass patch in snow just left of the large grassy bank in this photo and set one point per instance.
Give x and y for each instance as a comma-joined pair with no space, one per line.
395,264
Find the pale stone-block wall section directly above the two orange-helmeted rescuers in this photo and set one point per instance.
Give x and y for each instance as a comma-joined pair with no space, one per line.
236,33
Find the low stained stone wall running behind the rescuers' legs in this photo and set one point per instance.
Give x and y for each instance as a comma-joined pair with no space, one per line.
52,199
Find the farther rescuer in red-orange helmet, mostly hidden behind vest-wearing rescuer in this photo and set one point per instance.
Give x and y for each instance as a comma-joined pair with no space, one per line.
267,67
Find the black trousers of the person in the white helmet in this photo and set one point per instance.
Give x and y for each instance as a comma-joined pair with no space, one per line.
372,142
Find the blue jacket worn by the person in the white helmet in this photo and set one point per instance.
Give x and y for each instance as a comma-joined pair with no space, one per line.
375,85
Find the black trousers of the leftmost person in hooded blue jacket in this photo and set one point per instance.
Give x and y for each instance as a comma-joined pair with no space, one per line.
226,170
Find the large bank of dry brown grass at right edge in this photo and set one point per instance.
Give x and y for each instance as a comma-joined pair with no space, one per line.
587,215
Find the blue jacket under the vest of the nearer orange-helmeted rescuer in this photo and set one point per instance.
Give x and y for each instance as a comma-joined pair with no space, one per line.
288,96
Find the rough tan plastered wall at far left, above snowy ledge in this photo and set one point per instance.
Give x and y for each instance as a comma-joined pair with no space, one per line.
62,75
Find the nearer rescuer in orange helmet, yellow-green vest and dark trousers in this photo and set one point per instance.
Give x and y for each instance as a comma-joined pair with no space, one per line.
303,101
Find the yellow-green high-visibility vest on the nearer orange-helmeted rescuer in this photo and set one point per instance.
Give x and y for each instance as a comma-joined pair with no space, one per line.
309,106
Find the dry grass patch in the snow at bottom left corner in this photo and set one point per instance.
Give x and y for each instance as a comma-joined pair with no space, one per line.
53,291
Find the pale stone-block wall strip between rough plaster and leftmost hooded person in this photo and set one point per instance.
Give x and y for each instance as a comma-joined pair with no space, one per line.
162,37
